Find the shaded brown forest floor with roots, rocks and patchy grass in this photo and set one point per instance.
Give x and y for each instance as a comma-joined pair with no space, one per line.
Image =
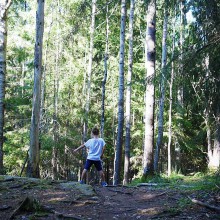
27,198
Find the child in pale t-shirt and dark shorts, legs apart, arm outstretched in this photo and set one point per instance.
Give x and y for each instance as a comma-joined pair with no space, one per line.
96,147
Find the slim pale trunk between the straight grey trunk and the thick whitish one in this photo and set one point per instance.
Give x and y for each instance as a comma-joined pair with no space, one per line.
128,96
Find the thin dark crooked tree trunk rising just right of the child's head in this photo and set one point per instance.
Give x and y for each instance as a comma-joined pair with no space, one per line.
105,74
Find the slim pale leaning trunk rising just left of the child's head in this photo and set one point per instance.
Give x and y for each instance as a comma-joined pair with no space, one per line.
92,30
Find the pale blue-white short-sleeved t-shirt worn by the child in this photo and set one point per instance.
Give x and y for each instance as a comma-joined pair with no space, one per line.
95,146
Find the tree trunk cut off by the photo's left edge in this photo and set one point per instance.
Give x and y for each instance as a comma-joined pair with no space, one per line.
4,6
